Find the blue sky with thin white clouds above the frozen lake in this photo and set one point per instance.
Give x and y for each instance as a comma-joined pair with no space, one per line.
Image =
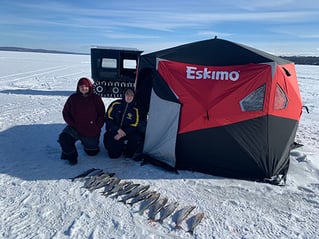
281,27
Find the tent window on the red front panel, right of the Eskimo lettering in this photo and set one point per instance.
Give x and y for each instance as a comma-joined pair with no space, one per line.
254,101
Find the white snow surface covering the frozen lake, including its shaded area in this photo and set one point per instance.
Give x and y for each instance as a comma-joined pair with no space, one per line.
38,200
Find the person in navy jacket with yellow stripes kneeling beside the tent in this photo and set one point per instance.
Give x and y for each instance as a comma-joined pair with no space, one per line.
121,125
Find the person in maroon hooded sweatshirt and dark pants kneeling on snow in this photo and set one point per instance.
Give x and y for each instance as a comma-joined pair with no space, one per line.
84,114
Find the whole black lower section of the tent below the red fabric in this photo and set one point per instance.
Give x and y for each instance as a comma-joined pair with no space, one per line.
247,149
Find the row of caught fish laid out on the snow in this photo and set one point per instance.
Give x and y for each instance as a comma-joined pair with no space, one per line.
132,193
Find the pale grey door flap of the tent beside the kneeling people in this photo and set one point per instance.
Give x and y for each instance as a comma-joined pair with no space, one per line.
161,130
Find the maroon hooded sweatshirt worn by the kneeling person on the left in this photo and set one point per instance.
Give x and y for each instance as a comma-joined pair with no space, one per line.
85,113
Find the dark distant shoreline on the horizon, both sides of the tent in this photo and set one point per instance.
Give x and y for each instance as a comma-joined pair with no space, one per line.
299,60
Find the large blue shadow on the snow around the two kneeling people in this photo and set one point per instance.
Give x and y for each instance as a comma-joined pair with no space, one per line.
31,152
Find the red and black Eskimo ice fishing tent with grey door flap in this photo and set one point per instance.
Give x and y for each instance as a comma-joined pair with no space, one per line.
221,108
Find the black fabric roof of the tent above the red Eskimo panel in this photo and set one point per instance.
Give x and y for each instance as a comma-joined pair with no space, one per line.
213,52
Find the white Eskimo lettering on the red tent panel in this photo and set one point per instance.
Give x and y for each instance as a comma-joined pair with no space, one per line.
193,73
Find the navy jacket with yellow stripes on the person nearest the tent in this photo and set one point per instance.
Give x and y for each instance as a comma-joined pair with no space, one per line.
121,114
